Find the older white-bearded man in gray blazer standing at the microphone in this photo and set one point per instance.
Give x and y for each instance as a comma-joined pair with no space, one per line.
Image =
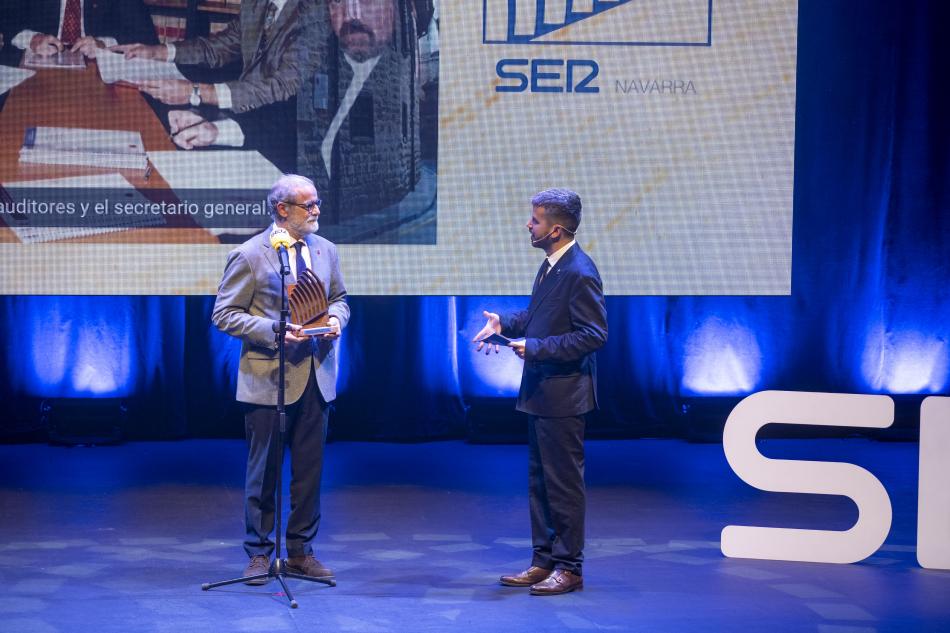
248,308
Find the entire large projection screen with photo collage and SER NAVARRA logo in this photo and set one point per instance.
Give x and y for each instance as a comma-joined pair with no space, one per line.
426,126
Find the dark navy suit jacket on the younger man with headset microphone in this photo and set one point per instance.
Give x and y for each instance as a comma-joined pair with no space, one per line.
565,323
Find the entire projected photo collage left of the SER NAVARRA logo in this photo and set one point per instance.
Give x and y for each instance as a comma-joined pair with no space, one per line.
168,121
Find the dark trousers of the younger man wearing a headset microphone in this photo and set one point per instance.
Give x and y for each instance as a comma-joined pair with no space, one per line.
556,493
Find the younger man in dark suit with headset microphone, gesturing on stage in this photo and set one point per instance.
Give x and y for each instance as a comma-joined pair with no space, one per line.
565,323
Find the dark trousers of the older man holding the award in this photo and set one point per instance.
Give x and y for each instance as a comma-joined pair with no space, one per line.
306,436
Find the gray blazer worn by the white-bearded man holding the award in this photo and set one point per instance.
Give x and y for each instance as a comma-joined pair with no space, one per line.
248,307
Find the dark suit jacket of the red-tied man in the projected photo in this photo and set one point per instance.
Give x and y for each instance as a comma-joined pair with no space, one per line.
128,21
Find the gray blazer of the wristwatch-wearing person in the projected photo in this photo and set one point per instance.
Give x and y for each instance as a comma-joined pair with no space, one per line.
268,76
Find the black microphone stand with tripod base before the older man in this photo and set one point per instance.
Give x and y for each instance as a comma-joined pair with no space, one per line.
278,567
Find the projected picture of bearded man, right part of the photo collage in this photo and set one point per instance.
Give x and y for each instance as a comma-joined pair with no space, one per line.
368,121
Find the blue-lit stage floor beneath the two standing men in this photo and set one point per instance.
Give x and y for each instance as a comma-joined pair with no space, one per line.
121,538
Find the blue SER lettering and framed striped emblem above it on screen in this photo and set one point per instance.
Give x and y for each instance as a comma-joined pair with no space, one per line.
587,23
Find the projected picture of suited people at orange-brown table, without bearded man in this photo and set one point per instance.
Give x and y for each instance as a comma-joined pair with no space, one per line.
184,113
